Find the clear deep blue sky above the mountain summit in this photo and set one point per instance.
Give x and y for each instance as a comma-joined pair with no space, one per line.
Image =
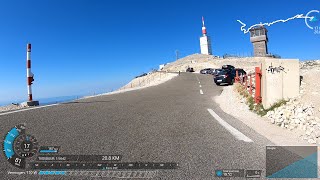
86,46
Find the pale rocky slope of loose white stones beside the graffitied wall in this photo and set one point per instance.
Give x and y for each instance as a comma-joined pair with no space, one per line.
303,112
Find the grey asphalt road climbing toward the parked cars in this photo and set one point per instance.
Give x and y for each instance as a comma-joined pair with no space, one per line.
165,123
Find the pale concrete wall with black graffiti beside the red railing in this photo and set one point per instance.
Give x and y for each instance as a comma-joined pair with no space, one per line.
280,80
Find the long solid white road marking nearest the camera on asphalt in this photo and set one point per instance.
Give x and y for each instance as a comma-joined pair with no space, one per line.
237,134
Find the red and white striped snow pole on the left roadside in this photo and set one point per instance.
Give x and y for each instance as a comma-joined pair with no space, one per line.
30,79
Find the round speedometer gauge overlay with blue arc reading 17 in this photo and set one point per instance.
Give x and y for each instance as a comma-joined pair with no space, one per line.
18,146
